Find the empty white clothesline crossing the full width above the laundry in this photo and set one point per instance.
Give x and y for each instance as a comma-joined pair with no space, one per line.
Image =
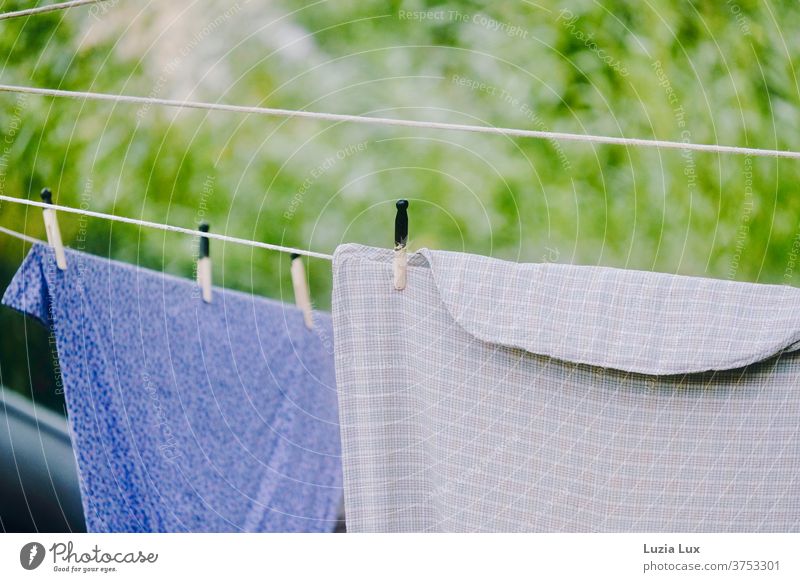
339,117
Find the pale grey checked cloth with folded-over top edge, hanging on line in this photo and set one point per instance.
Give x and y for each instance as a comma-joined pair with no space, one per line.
494,396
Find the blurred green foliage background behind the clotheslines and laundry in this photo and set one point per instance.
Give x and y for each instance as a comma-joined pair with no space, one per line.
722,72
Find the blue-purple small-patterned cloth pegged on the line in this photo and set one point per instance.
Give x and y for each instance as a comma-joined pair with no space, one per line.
186,415
